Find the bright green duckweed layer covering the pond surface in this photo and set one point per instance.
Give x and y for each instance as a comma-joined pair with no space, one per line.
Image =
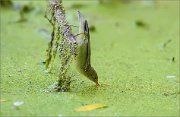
131,62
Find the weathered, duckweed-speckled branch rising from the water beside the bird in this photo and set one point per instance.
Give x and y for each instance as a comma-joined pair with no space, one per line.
62,42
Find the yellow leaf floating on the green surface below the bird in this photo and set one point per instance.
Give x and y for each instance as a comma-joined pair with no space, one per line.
90,107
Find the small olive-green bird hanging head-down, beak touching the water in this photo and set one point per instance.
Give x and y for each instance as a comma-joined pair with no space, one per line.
83,58
